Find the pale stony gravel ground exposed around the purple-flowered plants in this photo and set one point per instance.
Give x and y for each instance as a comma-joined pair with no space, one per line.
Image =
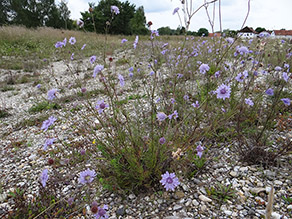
21,164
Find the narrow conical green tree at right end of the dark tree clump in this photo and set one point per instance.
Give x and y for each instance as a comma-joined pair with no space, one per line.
138,22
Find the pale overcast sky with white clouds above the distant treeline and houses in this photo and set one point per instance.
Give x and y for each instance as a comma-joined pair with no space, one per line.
270,14
